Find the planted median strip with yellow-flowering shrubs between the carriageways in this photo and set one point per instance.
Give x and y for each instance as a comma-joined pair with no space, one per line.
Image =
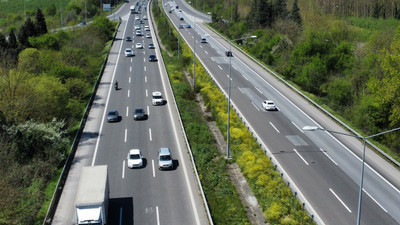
274,197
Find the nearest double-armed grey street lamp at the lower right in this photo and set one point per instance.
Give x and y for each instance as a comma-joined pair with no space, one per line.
314,128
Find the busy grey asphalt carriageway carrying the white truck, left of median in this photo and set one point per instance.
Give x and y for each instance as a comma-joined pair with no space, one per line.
142,195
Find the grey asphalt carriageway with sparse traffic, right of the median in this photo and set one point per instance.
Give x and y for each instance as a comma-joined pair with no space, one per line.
323,168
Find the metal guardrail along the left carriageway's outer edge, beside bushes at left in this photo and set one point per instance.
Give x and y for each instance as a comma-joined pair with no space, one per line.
64,174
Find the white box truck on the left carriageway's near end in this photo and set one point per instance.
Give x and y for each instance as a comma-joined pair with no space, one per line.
91,200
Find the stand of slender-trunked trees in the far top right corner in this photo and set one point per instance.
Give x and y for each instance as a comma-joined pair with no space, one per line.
361,8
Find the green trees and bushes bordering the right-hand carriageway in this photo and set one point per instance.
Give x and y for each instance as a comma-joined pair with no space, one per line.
343,54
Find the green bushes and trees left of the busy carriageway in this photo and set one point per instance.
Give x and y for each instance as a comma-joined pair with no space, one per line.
45,82
